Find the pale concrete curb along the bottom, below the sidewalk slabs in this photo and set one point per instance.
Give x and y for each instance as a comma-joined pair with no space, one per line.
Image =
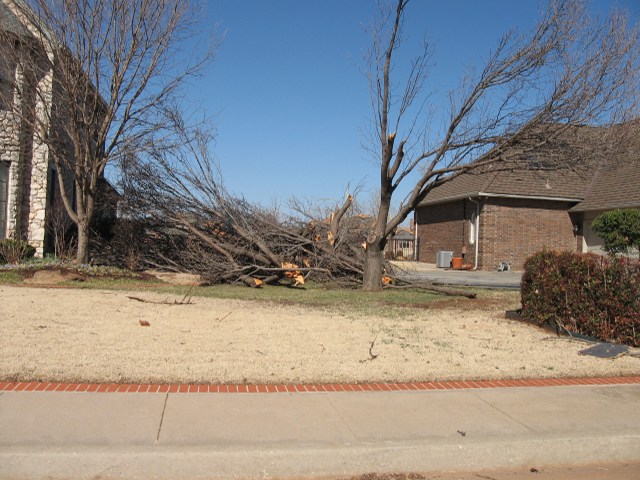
313,462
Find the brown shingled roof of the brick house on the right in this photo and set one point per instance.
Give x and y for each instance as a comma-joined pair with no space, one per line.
591,180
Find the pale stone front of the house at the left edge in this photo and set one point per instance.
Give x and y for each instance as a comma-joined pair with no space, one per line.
29,198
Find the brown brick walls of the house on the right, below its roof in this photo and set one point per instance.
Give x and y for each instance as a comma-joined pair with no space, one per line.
510,230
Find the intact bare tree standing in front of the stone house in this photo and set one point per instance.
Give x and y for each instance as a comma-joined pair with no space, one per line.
108,69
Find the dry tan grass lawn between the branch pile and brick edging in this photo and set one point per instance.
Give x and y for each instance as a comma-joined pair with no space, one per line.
77,335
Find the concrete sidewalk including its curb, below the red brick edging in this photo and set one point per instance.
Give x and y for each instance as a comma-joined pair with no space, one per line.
174,435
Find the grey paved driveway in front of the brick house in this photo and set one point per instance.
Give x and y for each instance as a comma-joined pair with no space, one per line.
430,273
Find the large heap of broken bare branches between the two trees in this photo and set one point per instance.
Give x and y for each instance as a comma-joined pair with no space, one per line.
191,223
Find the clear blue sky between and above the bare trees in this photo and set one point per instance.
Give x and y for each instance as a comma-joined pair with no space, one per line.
288,98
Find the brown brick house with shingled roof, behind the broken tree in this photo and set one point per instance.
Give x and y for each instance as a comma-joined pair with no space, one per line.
505,216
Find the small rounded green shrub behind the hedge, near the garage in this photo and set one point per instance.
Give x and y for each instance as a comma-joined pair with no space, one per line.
620,230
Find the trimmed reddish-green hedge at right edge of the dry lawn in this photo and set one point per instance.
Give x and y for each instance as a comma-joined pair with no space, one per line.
584,293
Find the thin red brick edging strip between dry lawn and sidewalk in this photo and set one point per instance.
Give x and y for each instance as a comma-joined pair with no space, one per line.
300,388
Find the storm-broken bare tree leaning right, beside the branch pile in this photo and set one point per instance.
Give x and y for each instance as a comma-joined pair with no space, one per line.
569,70
